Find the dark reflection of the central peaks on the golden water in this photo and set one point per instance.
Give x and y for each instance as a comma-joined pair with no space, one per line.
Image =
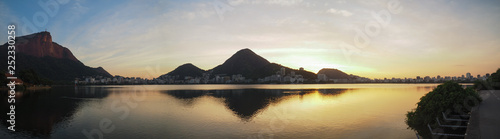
246,103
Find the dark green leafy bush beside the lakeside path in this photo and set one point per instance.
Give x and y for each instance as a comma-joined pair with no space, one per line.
447,97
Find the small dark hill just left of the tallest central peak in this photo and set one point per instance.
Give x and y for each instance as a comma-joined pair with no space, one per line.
186,70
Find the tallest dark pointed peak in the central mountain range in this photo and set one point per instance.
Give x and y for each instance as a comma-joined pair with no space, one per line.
243,62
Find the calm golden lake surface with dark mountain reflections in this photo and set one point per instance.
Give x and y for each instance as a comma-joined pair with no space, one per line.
216,111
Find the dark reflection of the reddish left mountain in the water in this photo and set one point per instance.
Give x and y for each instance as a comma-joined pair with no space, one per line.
39,112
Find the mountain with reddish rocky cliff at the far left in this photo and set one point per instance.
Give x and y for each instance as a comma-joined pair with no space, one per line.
48,59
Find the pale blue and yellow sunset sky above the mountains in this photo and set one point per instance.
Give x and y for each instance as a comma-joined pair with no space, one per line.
369,38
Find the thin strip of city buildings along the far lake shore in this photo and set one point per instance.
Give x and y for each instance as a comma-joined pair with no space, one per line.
279,77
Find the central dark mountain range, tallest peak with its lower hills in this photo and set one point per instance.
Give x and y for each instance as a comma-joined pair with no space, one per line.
250,65
